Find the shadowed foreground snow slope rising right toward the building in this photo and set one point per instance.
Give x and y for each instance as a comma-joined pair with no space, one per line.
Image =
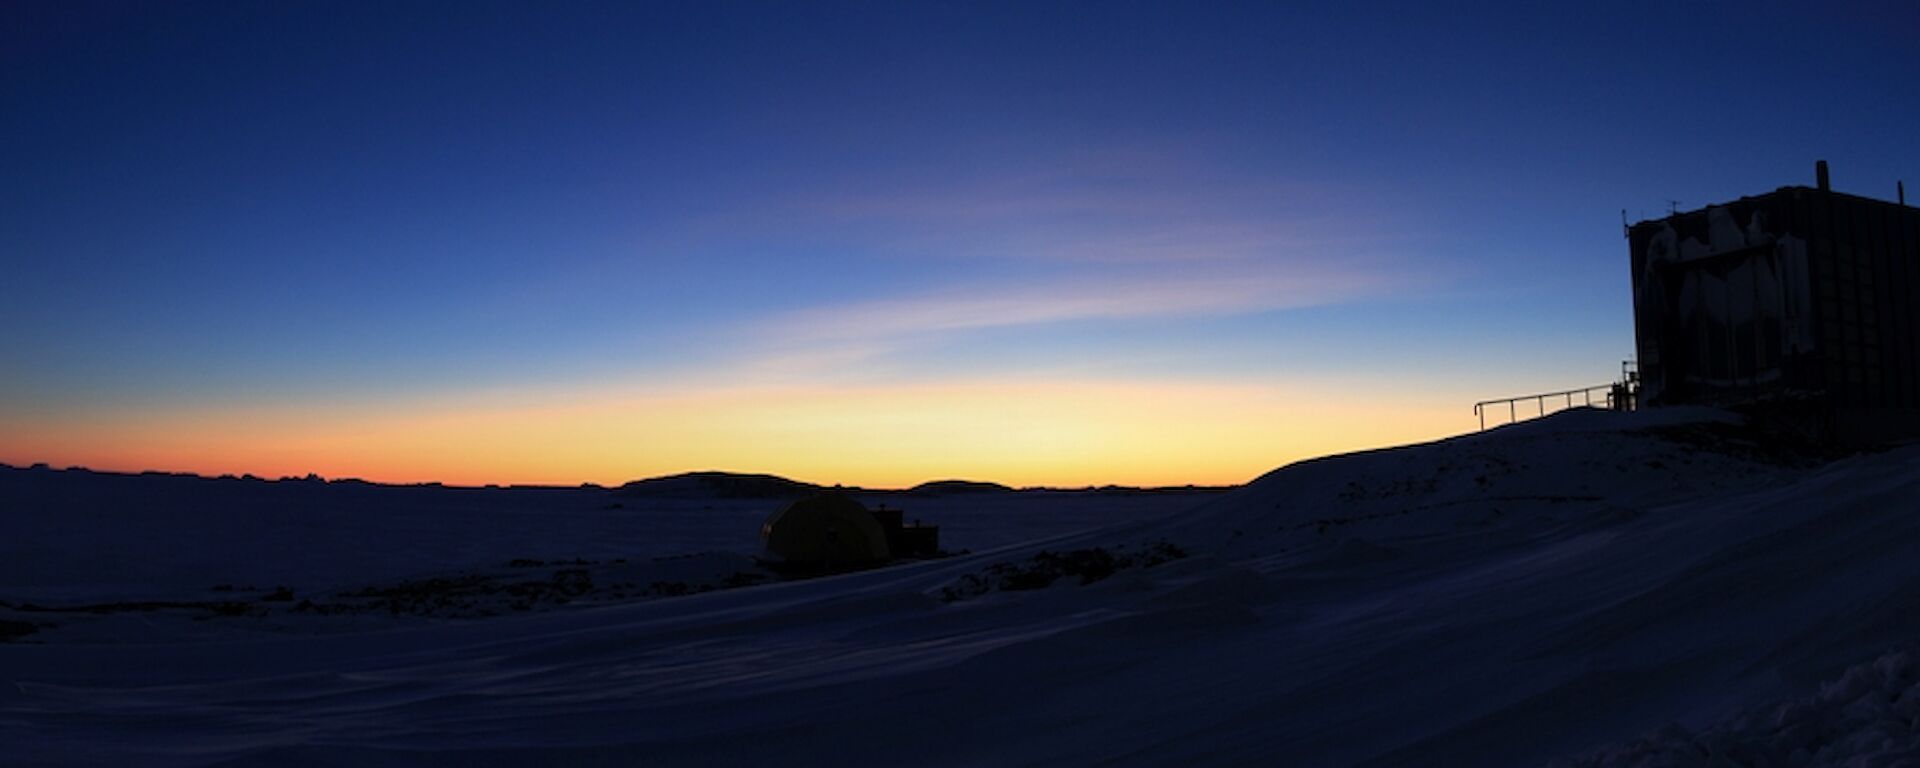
1508,598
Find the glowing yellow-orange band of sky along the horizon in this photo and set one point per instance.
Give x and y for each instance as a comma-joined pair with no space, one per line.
1020,433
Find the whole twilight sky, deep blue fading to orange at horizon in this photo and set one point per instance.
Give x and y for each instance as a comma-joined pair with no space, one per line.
873,243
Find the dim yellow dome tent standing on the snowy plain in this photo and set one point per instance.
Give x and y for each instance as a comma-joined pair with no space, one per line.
827,531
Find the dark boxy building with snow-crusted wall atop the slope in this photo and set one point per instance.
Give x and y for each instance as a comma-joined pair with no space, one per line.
1719,302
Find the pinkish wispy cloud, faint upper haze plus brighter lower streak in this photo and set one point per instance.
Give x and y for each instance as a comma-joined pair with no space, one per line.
1055,241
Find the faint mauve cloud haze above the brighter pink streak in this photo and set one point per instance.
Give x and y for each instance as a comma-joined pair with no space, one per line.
1128,208
